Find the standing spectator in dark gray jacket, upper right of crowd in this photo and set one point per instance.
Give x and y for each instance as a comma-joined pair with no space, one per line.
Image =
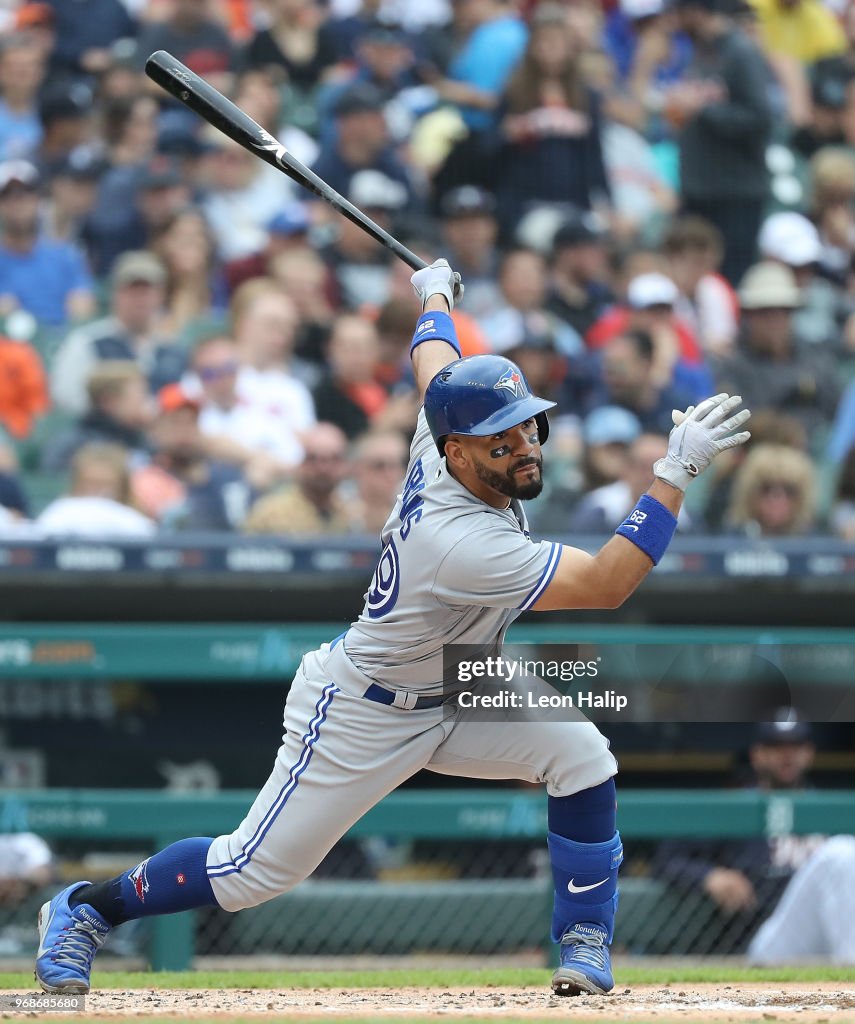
723,116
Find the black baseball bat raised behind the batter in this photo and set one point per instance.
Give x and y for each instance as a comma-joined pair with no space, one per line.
212,106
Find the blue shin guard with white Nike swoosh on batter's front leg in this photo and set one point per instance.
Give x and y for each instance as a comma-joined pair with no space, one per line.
586,883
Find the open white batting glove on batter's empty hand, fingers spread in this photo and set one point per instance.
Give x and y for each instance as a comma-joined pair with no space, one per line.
699,436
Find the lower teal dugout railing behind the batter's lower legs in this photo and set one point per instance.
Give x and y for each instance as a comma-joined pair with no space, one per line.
160,819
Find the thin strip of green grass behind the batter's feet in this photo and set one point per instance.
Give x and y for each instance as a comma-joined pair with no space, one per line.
515,977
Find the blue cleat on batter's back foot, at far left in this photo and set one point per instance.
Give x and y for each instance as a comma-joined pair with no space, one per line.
69,938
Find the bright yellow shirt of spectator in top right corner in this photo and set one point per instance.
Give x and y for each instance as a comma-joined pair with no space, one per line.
805,30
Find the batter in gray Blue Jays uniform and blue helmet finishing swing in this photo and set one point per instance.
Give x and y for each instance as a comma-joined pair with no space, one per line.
366,711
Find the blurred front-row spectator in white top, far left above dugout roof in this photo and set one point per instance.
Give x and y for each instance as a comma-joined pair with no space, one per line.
100,503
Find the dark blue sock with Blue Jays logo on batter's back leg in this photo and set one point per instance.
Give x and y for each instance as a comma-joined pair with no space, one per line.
175,880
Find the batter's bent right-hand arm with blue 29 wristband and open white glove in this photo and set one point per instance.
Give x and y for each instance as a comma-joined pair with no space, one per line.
609,578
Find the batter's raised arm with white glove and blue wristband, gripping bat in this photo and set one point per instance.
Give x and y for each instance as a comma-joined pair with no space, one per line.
435,343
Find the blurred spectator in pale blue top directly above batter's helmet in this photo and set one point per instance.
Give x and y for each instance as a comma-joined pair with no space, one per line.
524,281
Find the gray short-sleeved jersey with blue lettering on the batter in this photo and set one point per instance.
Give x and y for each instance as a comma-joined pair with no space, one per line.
453,571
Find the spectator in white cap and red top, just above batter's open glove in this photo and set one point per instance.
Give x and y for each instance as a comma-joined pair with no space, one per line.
652,298
